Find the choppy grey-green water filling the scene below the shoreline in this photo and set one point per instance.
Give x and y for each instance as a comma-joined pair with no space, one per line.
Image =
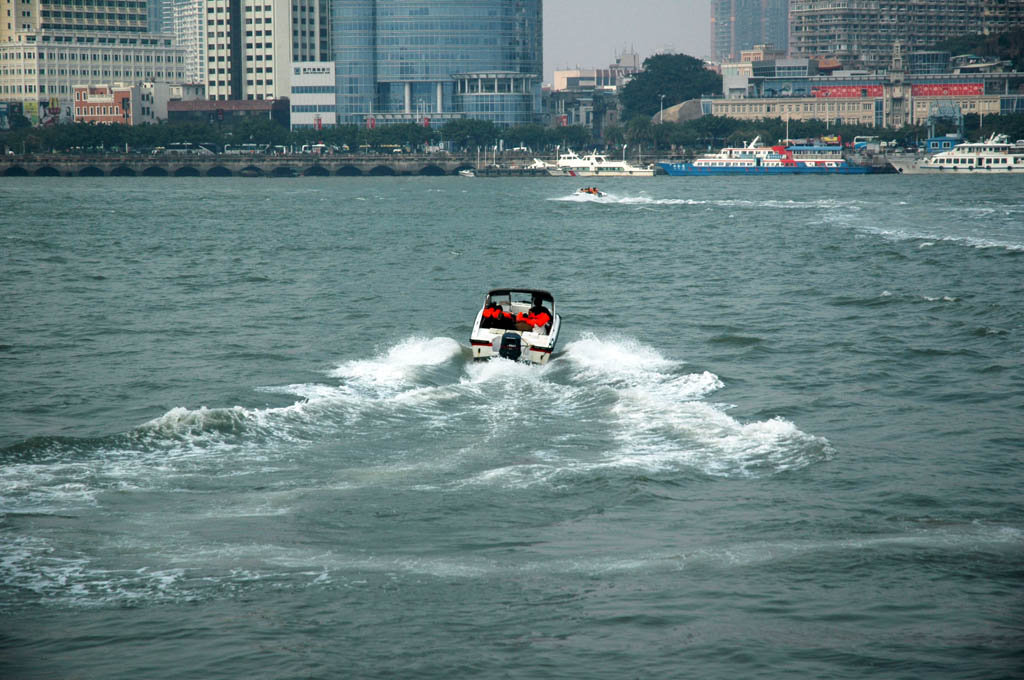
240,436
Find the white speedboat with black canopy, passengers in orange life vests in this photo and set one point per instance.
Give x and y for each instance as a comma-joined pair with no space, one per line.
508,326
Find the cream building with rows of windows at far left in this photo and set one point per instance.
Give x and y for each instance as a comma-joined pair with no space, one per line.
49,47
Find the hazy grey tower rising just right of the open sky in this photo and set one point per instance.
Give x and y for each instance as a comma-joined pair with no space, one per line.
740,25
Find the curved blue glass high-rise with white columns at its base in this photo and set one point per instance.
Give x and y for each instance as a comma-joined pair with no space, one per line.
432,61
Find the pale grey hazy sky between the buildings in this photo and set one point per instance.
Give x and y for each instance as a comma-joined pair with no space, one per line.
591,33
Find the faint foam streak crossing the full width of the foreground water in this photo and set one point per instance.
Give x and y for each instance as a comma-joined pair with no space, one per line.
193,573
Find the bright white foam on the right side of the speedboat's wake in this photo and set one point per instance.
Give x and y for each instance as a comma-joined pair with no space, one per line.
661,419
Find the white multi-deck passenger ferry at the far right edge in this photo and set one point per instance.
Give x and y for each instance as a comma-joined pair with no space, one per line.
995,155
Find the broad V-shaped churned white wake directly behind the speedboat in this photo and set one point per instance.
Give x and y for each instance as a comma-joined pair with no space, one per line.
425,414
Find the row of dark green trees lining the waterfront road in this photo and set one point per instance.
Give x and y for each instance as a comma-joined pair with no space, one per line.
639,136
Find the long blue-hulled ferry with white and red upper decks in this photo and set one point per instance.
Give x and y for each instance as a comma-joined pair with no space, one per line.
756,159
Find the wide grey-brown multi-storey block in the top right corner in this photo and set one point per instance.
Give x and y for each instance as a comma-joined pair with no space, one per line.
863,33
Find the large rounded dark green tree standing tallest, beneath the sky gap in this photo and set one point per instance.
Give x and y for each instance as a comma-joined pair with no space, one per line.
678,77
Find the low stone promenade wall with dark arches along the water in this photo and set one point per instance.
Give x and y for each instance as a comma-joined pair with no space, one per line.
223,165
